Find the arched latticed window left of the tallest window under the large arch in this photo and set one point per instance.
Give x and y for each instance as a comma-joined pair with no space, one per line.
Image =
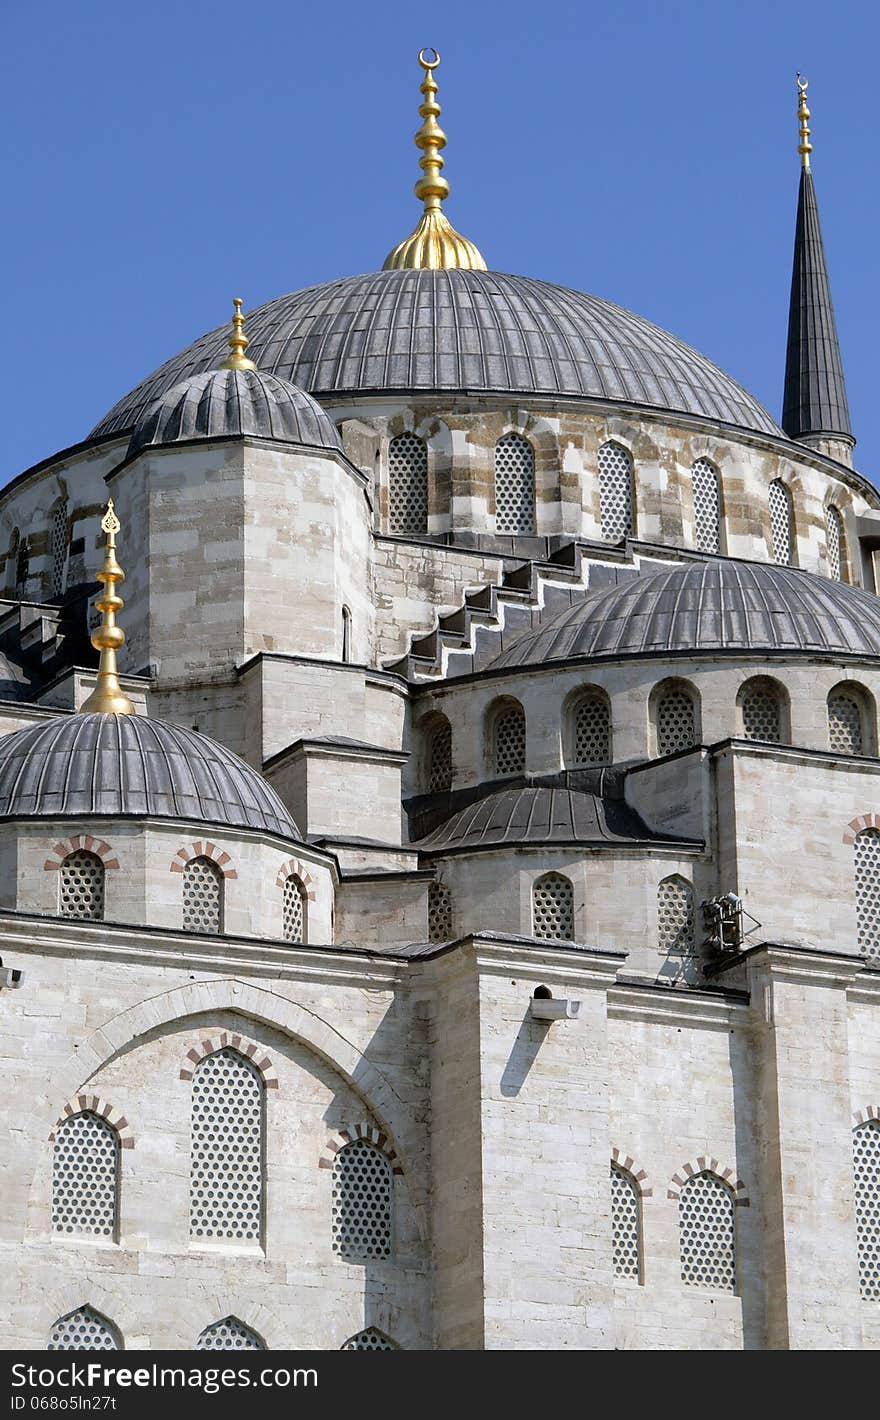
86,1178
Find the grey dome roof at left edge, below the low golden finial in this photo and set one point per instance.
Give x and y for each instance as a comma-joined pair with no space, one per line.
104,765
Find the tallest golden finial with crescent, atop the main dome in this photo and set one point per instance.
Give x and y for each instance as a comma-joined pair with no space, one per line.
435,244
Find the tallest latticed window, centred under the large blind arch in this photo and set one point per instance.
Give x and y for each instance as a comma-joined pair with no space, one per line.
226,1188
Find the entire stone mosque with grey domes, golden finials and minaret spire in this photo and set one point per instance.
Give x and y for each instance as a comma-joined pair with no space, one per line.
442,908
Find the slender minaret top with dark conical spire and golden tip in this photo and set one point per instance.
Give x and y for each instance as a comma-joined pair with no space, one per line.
815,410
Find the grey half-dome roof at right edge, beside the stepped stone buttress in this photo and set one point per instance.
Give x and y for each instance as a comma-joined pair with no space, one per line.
708,607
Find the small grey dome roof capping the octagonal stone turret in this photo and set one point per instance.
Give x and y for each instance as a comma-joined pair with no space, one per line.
228,403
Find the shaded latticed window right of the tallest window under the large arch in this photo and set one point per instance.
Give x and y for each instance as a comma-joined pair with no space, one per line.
363,1203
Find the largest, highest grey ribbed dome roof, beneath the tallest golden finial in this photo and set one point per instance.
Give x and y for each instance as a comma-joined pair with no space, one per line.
478,332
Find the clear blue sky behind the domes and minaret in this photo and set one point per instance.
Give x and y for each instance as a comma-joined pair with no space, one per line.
163,158
